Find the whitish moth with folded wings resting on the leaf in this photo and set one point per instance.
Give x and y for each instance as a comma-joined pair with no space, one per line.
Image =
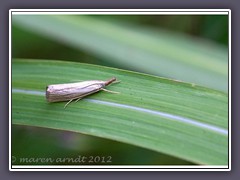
76,91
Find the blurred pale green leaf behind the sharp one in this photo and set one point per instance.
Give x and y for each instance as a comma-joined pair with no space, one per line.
137,47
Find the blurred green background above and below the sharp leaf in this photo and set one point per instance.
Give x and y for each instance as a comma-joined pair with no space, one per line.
191,48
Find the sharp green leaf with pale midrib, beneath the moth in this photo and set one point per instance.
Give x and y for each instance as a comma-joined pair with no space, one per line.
179,119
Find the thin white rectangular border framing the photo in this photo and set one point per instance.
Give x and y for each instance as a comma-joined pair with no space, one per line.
118,12
